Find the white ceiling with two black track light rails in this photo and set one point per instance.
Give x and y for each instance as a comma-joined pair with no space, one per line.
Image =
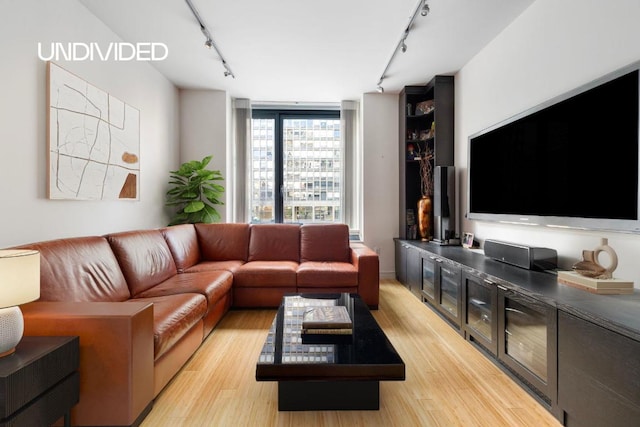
308,51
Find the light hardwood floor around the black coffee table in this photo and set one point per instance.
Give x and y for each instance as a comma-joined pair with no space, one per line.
448,382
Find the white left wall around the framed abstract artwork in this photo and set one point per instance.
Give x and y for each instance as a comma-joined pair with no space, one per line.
27,215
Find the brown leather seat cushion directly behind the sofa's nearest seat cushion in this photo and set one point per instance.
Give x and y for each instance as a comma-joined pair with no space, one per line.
213,285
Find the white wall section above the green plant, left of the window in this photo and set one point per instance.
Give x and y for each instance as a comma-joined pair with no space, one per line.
203,132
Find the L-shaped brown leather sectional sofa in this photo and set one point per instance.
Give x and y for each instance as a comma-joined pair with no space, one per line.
143,301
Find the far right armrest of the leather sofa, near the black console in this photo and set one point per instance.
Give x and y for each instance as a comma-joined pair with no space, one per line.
368,264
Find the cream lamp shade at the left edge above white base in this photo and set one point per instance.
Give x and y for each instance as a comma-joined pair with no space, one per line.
19,276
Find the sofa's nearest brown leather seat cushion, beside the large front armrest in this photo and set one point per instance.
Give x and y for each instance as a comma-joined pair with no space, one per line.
173,318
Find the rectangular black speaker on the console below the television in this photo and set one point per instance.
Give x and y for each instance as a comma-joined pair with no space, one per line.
523,256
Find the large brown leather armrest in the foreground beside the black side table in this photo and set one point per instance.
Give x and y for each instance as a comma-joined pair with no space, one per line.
116,355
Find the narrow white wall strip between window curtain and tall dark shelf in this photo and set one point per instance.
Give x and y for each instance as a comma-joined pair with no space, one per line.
380,176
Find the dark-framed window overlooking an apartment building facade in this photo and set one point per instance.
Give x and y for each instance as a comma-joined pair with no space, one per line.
296,166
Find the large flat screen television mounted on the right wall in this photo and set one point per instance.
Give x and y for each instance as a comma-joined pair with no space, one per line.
570,162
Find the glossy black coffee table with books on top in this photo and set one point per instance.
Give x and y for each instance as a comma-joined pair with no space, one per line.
327,372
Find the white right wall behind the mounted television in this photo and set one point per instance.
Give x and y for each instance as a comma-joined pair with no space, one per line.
553,47
